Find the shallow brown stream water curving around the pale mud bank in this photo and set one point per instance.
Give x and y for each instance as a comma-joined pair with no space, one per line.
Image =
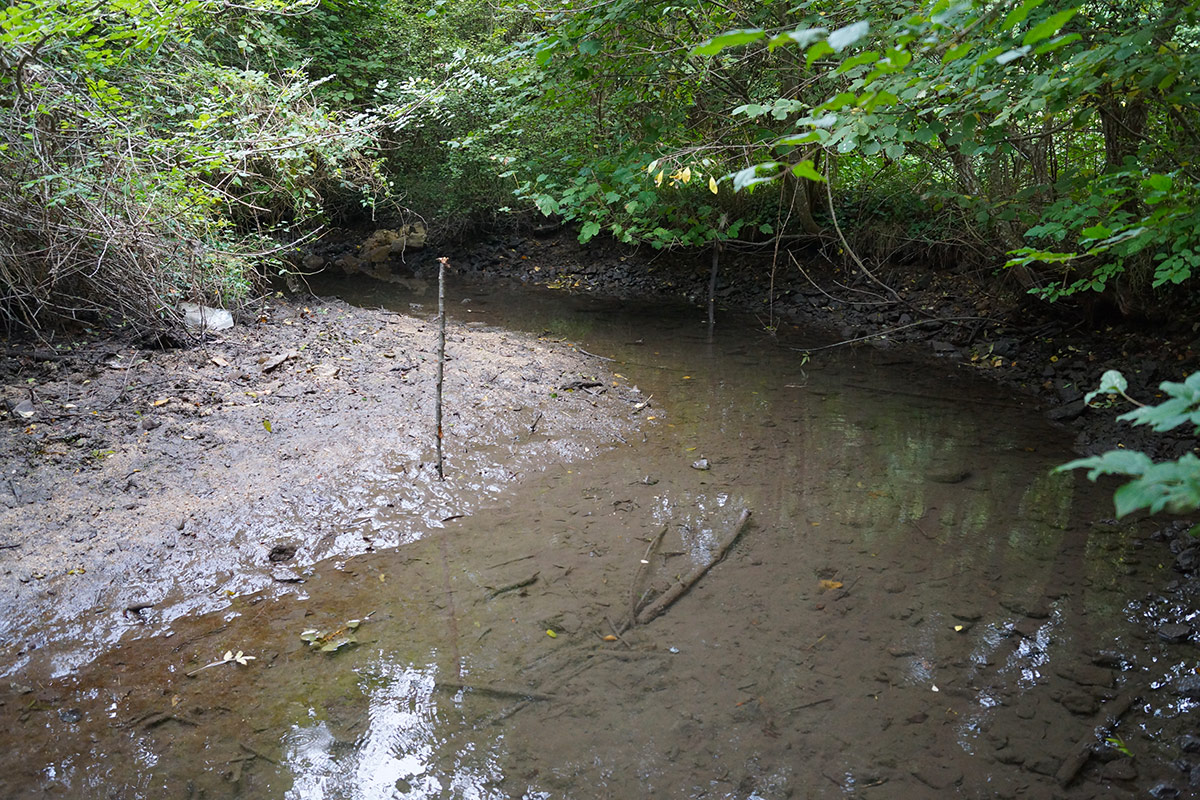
917,609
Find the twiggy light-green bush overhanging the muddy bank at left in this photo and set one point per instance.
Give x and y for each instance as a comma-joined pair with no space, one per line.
141,171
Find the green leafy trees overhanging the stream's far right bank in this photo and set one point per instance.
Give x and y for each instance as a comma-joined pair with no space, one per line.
1055,137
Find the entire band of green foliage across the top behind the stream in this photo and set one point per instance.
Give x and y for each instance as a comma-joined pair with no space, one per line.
153,151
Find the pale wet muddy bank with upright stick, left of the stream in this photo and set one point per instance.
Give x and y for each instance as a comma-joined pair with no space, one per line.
143,485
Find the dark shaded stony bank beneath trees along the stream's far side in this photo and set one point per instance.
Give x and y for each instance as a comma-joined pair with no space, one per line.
981,322
